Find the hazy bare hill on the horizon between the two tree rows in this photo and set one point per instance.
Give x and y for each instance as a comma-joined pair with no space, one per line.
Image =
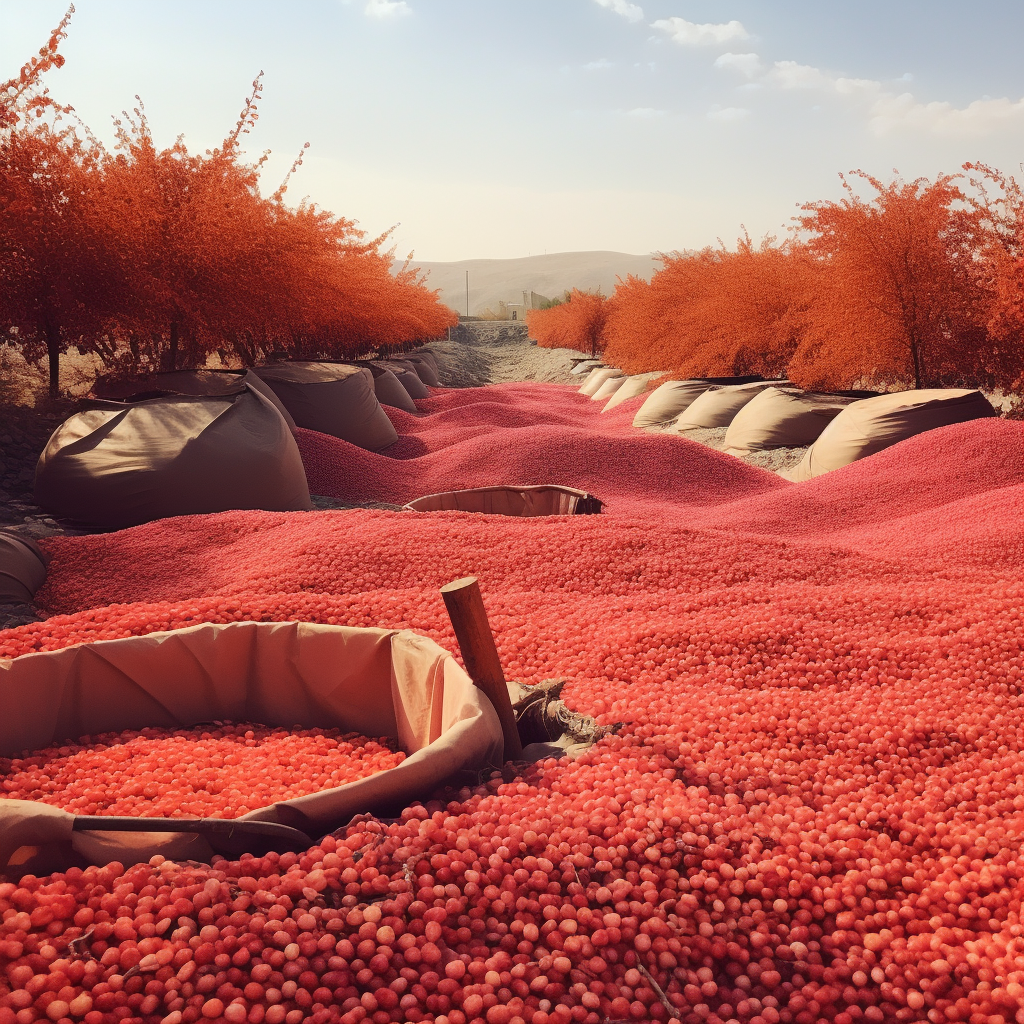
493,281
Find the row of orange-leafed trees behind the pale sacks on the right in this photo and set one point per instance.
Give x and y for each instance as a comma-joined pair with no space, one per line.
915,284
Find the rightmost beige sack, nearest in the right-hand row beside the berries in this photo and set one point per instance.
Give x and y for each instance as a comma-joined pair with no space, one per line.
874,424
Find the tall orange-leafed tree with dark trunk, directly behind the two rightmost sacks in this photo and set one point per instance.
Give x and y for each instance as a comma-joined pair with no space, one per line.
899,298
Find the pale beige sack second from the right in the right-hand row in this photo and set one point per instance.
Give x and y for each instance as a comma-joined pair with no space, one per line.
783,418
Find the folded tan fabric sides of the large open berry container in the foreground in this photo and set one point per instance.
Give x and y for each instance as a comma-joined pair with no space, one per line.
376,682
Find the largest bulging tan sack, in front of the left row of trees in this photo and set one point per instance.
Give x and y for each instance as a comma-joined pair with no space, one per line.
117,465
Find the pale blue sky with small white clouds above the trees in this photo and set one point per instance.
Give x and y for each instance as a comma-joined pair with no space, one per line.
507,129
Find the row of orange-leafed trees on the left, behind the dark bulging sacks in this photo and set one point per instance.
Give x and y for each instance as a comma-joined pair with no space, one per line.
157,259
